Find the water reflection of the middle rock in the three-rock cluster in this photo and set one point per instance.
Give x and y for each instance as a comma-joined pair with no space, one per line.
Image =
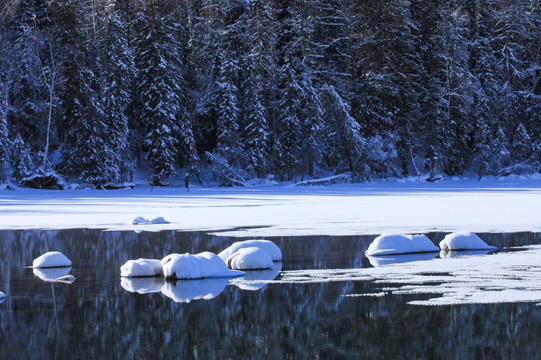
184,291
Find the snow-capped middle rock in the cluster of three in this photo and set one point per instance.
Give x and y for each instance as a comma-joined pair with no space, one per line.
199,266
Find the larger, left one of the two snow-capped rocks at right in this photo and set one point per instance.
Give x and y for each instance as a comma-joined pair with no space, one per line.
394,244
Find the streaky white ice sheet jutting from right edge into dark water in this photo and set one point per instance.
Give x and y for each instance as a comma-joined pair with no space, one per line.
504,277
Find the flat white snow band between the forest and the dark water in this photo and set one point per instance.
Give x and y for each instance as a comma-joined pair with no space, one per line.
407,206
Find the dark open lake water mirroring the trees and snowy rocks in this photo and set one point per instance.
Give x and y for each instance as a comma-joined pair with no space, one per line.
98,317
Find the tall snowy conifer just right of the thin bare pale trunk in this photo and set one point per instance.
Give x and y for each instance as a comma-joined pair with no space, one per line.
88,153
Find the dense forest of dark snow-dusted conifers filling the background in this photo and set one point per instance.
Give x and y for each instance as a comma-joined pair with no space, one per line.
248,89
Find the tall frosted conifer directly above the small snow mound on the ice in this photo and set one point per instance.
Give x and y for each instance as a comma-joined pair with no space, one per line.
158,86
